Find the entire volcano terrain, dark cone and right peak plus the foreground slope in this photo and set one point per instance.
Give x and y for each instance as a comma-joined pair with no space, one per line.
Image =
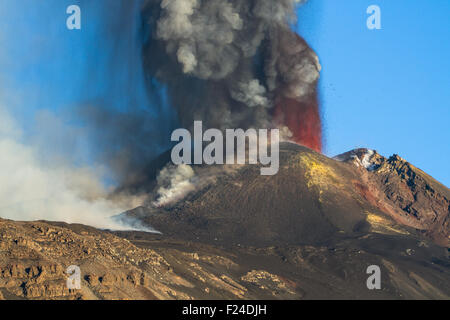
309,232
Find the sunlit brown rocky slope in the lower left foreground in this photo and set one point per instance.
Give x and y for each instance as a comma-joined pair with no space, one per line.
34,258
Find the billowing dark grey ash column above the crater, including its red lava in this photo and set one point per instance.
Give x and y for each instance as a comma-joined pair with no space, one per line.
235,64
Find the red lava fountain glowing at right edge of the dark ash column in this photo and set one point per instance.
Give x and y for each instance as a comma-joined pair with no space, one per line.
303,120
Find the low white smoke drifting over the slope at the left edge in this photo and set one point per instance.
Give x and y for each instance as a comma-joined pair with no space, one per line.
32,189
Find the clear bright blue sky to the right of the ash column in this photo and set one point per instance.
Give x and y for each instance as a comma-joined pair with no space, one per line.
385,89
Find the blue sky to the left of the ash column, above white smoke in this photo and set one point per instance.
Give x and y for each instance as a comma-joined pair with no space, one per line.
57,68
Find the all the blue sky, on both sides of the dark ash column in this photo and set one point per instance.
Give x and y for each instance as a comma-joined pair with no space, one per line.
385,89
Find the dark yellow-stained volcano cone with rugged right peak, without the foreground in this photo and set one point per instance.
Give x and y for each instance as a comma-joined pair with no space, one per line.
312,200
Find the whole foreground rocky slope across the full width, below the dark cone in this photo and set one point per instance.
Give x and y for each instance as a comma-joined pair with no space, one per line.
34,257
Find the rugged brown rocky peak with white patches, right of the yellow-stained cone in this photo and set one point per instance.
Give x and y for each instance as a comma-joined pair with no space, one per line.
407,194
